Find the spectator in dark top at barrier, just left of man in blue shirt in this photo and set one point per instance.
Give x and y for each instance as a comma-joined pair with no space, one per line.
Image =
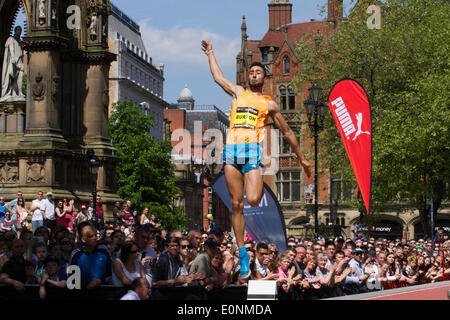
53,277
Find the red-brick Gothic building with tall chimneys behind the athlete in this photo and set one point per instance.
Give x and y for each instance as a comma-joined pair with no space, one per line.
276,50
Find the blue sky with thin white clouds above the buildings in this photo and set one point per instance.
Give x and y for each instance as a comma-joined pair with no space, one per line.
173,29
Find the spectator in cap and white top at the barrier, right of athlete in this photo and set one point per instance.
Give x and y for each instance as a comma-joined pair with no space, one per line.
355,281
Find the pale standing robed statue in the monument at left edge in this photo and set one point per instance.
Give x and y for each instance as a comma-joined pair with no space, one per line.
12,72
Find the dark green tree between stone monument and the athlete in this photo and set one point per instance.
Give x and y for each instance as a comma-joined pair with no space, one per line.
146,173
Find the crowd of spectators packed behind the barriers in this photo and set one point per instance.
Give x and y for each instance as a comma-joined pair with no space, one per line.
134,252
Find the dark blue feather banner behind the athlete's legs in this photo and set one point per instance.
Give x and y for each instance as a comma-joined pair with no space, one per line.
263,223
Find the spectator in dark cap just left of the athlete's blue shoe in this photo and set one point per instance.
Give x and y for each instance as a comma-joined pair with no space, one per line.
202,264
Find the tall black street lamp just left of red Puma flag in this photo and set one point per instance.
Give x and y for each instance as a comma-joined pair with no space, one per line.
315,110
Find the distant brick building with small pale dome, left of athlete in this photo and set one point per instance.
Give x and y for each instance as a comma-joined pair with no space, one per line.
192,169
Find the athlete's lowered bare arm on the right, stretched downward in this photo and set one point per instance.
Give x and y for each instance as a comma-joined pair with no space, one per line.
278,119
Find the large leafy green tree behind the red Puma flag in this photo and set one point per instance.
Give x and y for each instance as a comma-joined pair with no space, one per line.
404,68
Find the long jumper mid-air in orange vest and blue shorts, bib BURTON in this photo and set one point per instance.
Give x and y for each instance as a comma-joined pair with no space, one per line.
243,151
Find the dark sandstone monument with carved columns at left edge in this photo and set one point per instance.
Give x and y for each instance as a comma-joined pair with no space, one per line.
65,110
